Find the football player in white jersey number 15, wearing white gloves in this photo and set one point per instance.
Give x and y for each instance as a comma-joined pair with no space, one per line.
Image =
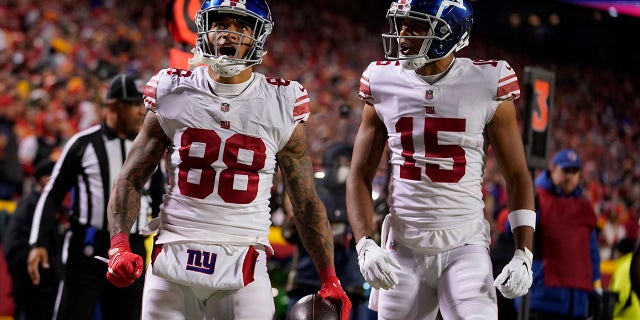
438,114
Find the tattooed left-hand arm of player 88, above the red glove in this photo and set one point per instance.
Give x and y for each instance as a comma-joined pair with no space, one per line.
143,158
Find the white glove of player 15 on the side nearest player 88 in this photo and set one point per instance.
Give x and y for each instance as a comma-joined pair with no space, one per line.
375,264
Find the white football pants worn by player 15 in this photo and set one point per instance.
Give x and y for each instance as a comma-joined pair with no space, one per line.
458,283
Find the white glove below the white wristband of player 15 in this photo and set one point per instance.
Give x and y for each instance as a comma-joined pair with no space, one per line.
516,277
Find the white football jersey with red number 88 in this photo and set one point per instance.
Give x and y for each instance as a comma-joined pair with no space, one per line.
223,158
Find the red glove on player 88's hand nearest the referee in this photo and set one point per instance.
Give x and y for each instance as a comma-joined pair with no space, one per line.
124,266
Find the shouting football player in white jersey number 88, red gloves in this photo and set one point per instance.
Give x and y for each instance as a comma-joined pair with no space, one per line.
225,129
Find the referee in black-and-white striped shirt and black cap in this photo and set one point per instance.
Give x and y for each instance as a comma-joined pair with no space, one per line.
87,168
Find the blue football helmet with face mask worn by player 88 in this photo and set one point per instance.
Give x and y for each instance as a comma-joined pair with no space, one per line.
254,13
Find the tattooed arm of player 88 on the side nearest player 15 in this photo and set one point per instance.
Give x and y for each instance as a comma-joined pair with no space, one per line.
309,213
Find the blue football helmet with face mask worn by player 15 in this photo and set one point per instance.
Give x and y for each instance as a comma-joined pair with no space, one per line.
448,24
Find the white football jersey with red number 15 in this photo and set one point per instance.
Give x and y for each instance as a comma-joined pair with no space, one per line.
436,138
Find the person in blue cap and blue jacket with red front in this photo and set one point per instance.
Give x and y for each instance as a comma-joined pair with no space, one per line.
566,260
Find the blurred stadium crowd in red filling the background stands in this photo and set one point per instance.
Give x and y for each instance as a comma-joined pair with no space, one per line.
55,60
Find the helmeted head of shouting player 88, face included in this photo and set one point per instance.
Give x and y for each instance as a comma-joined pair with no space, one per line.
239,49
